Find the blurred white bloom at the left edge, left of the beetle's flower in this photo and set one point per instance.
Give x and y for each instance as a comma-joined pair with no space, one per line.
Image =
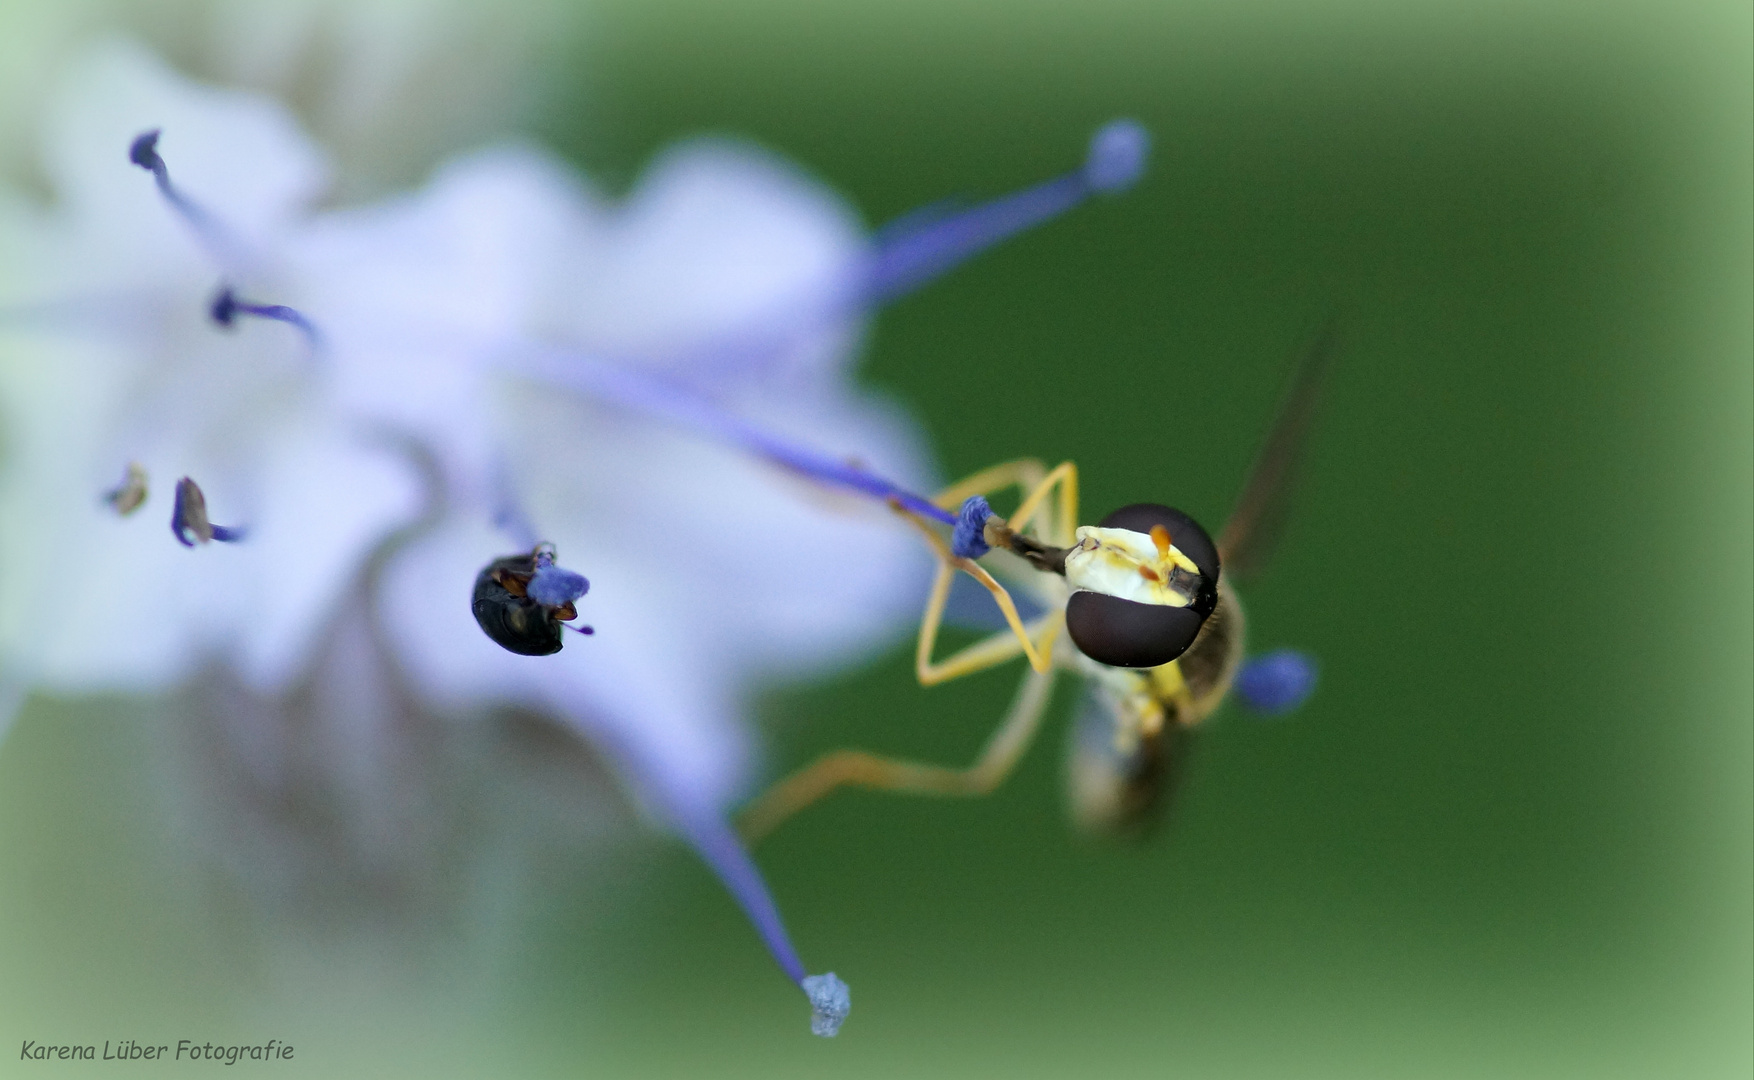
115,360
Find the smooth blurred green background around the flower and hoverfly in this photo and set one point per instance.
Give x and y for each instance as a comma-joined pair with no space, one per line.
1511,837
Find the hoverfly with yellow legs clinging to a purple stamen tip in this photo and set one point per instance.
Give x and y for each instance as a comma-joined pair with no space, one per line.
1146,599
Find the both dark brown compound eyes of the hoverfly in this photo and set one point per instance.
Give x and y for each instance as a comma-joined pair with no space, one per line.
1127,634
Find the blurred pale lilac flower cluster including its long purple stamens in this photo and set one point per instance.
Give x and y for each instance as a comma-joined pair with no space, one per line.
499,359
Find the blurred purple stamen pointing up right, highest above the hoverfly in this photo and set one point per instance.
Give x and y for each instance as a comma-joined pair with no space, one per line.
923,246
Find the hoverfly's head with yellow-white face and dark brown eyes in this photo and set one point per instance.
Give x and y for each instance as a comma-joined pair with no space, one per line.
1146,579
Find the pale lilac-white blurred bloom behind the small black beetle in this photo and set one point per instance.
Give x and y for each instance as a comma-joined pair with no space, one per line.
711,571
